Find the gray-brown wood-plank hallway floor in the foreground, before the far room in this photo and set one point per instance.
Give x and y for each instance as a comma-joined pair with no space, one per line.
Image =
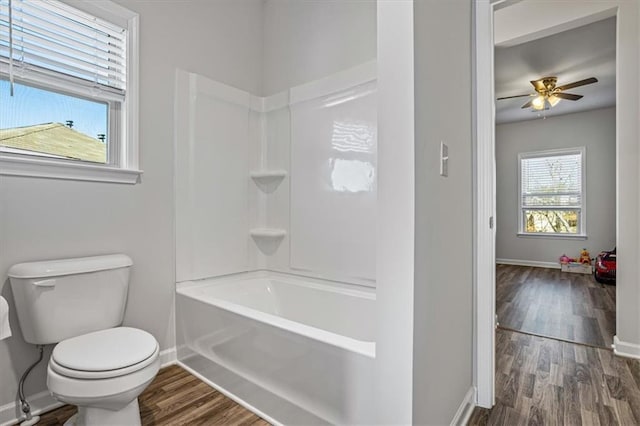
541,381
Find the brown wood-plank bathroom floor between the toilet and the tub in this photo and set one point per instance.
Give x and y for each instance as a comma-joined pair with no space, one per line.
176,397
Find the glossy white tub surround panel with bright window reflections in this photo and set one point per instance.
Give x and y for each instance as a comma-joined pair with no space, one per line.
333,182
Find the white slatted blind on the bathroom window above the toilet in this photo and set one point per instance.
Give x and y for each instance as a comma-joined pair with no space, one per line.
47,39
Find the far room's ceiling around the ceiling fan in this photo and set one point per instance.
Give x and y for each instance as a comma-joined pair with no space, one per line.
576,54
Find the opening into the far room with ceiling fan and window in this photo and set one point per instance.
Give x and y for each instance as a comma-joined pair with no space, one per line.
555,182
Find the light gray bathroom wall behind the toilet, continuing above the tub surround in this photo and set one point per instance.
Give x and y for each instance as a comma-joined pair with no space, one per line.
46,219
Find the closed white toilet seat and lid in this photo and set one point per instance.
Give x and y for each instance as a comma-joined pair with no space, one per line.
104,354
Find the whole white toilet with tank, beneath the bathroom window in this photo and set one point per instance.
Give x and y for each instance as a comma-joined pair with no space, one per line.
79,304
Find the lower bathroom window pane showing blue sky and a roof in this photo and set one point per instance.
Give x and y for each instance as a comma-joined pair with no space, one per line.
45,123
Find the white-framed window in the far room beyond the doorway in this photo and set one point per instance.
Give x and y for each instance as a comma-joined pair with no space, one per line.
551,192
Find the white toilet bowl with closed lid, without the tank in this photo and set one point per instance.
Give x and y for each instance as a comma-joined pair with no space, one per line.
103,373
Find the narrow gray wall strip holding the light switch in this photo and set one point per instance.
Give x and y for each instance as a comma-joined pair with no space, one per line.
443,294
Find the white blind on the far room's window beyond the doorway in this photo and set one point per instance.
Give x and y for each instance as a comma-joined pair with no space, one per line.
552,181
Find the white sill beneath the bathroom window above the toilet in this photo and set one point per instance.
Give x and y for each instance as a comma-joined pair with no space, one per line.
55,169
